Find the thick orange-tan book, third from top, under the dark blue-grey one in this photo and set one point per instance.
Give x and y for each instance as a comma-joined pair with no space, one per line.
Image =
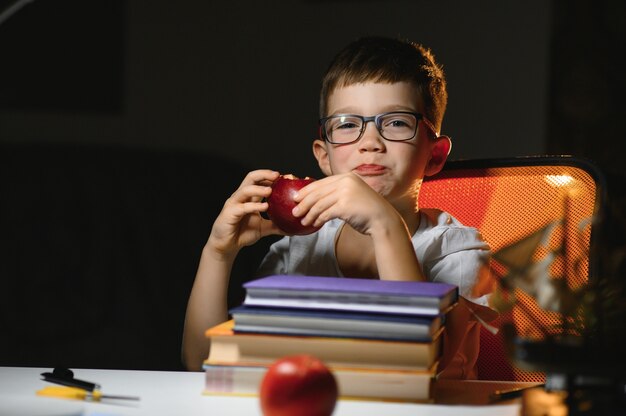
237,348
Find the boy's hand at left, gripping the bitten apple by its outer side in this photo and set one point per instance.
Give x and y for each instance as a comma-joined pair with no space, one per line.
240,223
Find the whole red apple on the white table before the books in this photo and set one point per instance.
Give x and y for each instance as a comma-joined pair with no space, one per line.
298,385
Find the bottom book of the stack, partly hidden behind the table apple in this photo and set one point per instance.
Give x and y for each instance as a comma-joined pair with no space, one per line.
367,383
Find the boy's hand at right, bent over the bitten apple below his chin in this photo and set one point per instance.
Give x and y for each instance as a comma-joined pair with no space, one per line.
345,196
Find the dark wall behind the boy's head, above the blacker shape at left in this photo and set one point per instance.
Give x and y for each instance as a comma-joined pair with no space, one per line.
524,77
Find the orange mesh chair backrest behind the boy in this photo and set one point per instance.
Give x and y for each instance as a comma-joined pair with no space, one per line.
510,201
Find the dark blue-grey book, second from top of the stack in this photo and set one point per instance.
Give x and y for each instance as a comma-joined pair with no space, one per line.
328,323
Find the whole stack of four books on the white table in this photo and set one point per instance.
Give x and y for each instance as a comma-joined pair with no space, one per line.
381,339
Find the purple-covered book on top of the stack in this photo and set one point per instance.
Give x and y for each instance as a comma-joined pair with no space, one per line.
338,293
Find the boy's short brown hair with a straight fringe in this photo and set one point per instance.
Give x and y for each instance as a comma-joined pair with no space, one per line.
387,60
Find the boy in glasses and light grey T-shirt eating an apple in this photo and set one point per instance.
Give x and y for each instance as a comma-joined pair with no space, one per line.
382,104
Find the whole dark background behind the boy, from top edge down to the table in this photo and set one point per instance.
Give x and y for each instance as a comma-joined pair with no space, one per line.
124,125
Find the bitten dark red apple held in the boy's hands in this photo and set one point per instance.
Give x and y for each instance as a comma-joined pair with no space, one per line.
281,203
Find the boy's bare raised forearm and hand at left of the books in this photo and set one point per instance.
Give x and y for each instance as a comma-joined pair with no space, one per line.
239,224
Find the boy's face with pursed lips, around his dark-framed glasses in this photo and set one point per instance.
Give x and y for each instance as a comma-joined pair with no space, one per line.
393,169
